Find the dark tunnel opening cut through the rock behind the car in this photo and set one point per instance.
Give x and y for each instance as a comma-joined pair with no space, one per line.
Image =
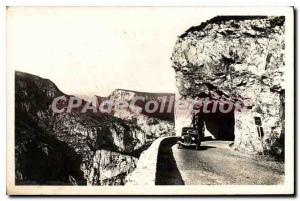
219,125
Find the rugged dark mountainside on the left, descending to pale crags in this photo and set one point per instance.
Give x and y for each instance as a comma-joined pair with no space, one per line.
70,148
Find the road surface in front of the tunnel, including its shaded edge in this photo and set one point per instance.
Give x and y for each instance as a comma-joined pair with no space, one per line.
216,163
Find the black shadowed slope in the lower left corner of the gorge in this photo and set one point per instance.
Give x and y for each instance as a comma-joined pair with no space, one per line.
44,160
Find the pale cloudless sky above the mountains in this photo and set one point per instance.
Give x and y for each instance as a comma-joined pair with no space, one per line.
94,50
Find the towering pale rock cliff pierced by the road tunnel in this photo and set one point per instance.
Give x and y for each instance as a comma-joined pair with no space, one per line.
238,58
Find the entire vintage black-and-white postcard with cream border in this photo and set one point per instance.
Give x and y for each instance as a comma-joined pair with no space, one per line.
150,100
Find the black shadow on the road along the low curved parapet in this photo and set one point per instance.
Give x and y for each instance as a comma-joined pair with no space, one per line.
167,172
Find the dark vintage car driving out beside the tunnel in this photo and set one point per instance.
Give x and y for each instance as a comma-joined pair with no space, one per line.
189,138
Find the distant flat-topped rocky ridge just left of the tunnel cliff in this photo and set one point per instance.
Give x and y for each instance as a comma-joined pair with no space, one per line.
158,123
